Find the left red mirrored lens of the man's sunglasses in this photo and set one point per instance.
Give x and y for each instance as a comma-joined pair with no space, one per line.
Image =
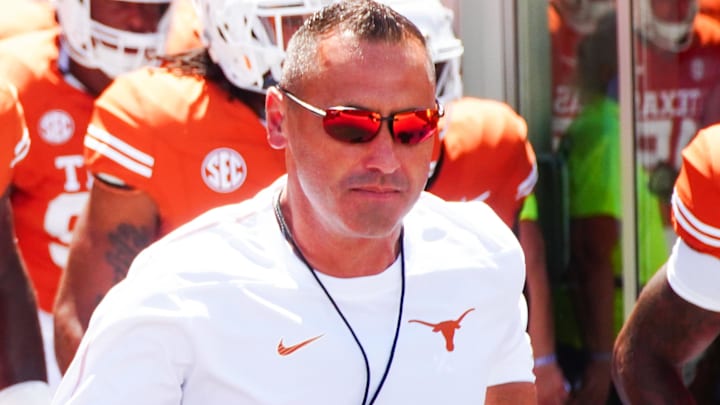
354,126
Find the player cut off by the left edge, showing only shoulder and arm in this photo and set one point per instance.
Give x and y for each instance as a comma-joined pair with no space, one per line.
23,379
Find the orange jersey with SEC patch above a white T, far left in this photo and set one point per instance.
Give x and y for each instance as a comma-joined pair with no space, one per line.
50,185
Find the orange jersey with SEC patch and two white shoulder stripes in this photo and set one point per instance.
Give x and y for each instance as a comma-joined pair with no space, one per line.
181,140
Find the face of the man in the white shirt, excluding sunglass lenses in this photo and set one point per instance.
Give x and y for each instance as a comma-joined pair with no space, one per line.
363,189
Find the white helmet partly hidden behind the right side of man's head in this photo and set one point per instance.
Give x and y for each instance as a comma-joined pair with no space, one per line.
435,21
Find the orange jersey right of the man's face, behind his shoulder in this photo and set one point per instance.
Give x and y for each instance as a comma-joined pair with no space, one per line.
487,156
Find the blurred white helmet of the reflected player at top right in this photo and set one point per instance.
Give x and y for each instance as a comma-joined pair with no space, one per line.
670,32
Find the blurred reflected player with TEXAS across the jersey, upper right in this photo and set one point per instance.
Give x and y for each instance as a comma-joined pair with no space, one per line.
677,51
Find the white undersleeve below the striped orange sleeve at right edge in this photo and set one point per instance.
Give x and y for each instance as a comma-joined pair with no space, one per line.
694,276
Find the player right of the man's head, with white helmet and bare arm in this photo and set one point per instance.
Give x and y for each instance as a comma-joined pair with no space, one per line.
480,138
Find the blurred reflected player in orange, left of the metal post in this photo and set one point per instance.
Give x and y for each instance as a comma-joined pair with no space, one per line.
569,21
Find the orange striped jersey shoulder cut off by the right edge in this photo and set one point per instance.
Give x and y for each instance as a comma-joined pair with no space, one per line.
696,202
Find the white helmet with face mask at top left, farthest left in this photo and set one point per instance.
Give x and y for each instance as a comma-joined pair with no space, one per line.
112,50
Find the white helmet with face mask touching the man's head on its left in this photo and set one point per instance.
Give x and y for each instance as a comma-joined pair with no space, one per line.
248,38
